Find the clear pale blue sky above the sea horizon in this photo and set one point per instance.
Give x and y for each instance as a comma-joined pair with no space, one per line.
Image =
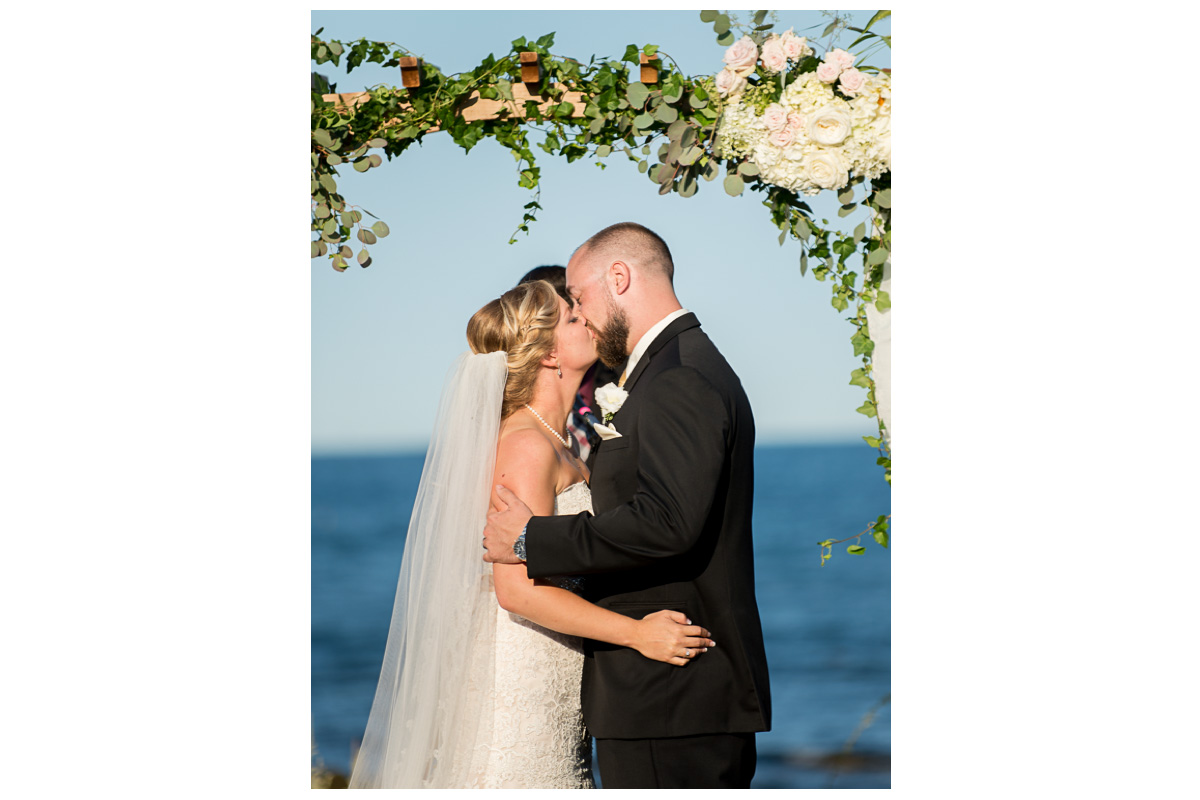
383,338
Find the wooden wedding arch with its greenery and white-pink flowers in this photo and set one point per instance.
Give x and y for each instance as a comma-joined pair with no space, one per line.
777,119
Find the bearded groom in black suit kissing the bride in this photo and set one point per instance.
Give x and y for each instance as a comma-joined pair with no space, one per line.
673,492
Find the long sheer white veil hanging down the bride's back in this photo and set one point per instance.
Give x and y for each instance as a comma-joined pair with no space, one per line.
431,712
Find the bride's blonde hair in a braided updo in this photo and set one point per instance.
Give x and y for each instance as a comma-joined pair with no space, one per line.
521,322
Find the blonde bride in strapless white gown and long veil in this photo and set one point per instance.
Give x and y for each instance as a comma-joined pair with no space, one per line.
481,681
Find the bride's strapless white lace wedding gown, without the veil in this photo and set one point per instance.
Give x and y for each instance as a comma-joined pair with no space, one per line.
538,738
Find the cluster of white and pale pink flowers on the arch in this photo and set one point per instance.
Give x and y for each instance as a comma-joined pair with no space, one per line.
829,125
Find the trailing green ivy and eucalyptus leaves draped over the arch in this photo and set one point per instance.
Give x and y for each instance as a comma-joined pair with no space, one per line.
668,130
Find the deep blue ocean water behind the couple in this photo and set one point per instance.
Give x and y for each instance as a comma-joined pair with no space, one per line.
829,629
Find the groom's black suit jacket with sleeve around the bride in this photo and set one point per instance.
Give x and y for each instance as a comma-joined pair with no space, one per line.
673,501
